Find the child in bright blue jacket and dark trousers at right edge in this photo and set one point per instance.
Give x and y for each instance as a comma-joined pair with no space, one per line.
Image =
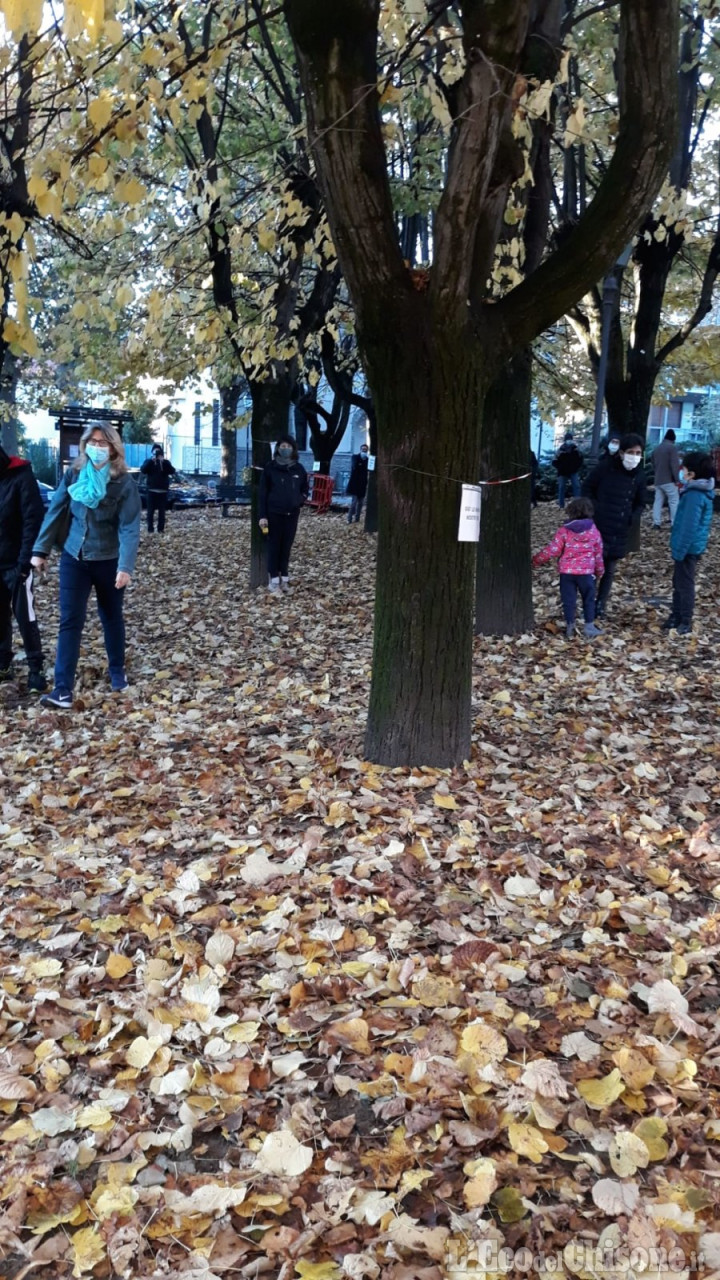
689,537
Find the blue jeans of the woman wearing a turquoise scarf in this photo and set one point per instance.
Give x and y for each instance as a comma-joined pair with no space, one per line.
78,579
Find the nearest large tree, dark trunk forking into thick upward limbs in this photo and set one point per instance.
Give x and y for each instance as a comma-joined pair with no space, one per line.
432,348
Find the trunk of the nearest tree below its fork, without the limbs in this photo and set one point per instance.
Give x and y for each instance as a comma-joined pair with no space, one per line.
423,643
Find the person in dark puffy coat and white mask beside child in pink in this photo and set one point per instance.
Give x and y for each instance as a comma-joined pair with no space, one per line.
617,487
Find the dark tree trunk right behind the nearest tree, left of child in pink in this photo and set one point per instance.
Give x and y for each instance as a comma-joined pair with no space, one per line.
504,587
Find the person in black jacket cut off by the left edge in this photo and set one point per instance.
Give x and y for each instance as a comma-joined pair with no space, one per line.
21,518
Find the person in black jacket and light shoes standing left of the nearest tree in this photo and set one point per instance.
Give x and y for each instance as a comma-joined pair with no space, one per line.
284,491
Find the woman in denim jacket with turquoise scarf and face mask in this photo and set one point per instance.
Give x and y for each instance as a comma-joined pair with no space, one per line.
99,551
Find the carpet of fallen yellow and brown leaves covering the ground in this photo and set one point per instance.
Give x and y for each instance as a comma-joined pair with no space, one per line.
270,1011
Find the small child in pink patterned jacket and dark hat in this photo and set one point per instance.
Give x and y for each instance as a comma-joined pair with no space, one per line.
580,547
